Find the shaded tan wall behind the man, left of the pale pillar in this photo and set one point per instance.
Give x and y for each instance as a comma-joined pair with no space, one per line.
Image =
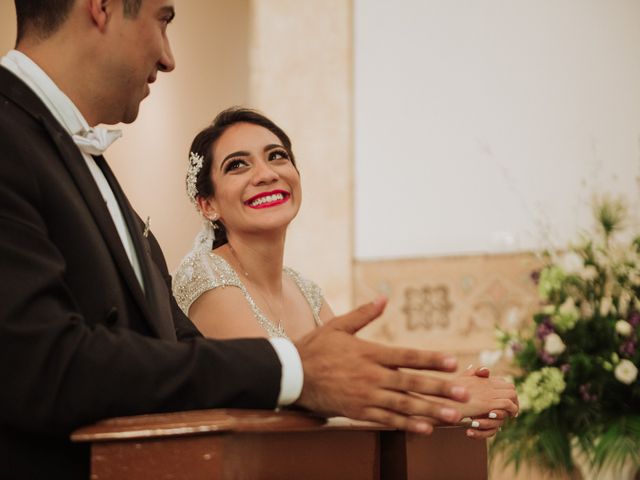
210,42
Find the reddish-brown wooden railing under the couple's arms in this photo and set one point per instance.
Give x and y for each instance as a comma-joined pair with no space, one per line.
258,444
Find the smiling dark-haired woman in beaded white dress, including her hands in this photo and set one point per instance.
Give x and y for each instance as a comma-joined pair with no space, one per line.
242,177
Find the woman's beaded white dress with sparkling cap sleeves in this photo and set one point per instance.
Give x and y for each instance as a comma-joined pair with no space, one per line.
202,270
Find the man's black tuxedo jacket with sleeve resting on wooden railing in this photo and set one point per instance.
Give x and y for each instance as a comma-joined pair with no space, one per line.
80,340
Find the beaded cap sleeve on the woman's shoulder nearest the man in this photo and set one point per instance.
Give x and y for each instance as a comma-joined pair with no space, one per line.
198,272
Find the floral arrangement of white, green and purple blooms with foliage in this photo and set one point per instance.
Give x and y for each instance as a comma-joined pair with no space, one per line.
576,366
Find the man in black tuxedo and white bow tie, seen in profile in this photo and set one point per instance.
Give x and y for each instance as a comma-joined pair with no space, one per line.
88,328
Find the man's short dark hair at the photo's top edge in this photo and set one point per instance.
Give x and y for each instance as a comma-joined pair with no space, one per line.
44,17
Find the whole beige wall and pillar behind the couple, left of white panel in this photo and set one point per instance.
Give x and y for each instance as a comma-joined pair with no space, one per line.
292,60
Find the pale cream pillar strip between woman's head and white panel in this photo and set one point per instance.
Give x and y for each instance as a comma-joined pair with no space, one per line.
300,57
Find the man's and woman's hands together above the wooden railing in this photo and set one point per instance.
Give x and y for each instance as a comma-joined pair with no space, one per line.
351,377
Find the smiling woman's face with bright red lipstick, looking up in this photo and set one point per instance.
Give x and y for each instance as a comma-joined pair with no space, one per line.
257,187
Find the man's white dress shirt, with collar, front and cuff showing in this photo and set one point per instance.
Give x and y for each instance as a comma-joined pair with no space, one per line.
64,110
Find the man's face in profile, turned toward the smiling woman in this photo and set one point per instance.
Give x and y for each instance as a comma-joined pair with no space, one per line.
138,47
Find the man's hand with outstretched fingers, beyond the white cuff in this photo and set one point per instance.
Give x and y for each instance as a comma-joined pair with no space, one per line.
347,376
